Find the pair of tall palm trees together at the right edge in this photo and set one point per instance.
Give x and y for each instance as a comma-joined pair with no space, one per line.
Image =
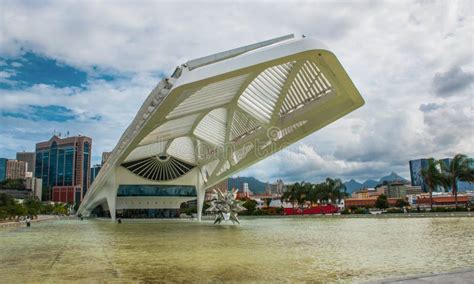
439,174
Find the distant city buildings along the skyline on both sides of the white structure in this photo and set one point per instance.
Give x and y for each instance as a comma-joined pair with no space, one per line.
60,170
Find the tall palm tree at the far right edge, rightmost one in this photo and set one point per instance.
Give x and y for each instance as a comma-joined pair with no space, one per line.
457,170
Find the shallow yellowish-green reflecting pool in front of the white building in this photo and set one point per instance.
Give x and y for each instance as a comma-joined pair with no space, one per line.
260,250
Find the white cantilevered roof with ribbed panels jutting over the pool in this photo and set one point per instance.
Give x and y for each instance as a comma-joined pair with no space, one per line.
224,112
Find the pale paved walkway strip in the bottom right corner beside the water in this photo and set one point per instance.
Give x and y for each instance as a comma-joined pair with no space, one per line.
460,277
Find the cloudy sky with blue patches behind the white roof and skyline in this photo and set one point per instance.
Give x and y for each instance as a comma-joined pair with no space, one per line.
86,67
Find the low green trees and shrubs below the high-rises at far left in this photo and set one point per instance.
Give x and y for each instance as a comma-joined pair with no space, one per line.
10,209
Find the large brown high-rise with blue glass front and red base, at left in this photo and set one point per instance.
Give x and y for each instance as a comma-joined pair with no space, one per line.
64,166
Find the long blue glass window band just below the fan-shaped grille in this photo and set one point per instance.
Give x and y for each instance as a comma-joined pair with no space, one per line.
156,190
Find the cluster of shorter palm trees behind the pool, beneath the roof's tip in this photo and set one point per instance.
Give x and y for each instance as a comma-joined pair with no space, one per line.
329,191
